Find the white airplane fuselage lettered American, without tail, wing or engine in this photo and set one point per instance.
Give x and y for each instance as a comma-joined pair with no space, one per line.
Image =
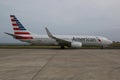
85,40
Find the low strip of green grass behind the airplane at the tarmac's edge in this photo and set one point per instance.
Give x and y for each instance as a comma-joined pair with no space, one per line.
115,45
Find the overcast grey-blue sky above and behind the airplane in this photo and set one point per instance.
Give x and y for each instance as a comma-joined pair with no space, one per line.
86,17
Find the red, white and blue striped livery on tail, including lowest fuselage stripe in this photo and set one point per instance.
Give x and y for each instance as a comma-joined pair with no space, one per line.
19,29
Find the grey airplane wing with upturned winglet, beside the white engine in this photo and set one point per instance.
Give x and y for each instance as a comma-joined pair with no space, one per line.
59,40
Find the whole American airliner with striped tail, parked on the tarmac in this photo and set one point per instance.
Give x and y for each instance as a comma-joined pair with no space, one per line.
73,41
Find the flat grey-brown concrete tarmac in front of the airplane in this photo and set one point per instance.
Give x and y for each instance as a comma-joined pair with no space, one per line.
58,64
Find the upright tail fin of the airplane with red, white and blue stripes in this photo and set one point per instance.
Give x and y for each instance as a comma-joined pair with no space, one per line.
18,28
